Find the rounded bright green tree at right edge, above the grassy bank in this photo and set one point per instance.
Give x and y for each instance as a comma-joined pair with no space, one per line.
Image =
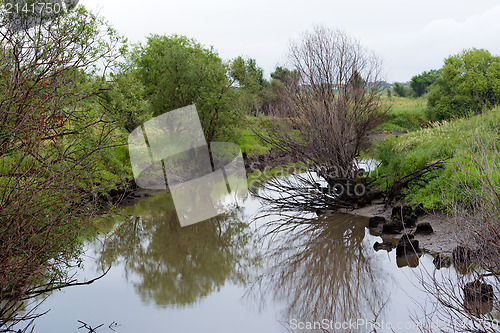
469,83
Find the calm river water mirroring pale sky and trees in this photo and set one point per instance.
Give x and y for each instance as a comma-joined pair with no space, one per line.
244,271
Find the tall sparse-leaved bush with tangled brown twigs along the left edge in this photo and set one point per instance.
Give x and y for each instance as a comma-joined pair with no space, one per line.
49,136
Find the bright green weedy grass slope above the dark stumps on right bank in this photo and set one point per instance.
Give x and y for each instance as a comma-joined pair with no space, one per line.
471,147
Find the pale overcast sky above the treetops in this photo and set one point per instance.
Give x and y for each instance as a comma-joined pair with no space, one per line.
410,36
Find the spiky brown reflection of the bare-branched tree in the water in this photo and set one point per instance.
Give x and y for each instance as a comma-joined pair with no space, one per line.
321,269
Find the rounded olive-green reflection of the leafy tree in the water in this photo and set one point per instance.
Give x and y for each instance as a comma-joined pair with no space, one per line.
172,265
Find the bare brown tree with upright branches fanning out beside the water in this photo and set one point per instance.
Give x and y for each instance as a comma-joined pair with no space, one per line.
331,103
